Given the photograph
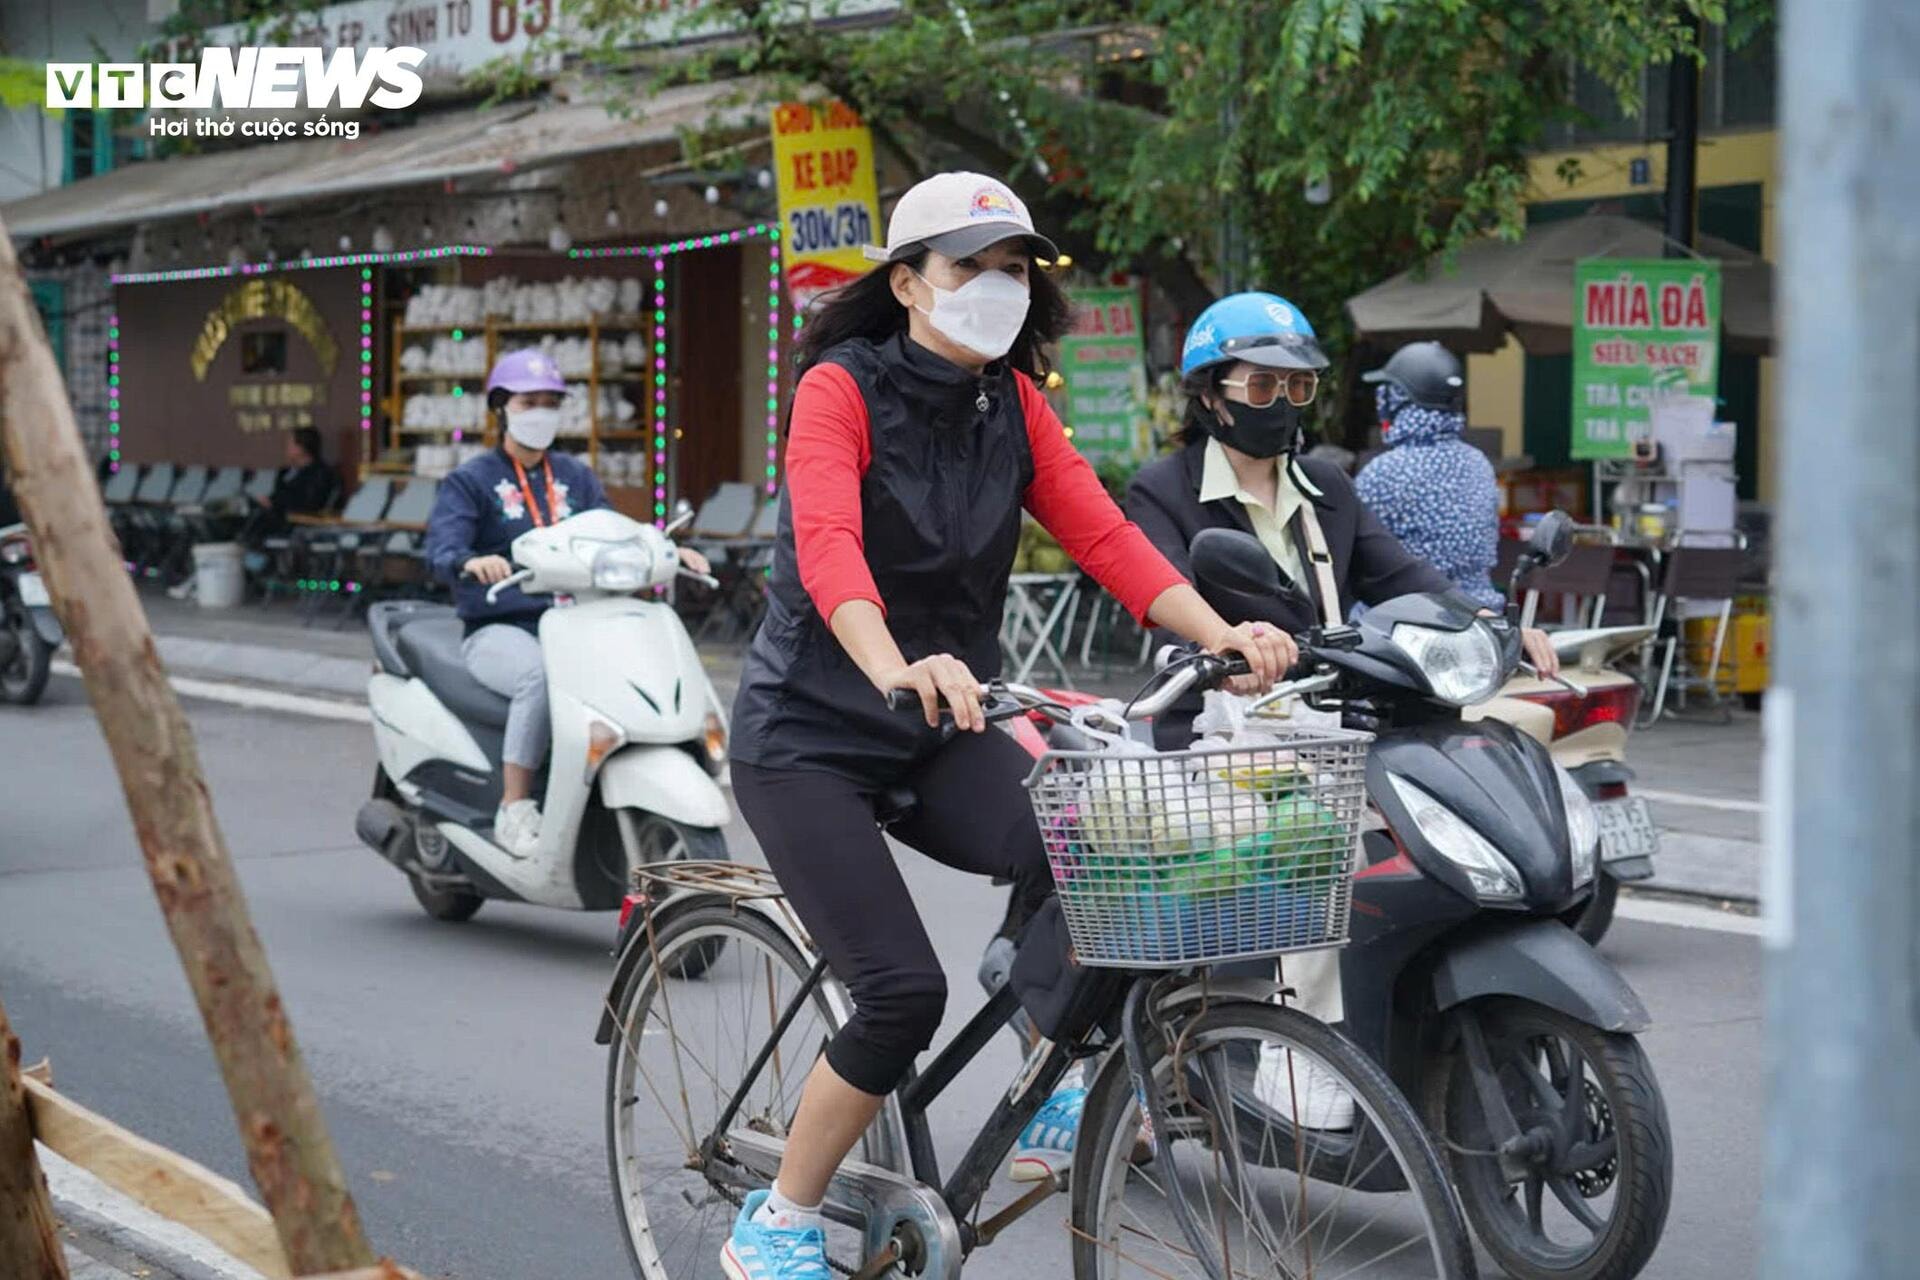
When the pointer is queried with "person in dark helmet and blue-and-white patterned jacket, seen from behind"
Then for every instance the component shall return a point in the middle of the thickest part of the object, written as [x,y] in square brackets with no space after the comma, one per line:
[1431,488]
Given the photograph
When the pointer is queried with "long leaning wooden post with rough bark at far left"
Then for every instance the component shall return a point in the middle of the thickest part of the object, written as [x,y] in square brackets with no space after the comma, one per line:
[289,1150]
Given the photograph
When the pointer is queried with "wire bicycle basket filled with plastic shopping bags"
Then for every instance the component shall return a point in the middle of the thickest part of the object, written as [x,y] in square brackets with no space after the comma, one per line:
[1199,857]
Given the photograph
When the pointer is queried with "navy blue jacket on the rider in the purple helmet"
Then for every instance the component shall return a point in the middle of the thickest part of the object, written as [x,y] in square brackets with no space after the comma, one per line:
[481,510]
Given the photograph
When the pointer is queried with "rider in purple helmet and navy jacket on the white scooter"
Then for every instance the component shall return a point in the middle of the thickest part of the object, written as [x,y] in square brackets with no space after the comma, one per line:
[479,511]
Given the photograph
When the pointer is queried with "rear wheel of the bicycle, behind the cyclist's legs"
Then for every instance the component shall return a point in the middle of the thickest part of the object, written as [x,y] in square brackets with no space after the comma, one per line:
[686,1031]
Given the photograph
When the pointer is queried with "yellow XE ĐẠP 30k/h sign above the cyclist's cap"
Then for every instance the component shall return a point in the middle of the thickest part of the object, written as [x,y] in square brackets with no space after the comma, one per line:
[828,195]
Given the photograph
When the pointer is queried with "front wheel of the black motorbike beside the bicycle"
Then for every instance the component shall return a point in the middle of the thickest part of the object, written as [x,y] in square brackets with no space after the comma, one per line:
[1596,1177]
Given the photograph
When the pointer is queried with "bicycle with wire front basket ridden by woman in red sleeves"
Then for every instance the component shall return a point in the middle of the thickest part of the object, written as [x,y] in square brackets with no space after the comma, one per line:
[1189,1160]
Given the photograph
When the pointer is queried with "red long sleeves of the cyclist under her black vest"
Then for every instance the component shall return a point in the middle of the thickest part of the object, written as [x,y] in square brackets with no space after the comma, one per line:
[828,454]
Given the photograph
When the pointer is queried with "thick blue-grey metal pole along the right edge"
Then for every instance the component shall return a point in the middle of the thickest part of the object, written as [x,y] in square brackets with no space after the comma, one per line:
[1844,736]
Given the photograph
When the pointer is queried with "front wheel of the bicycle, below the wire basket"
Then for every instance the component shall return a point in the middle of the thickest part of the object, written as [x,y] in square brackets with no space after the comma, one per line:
[1253,1191]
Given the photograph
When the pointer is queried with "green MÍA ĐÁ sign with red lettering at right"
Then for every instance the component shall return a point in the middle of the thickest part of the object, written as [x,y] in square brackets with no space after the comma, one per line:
[1641,331]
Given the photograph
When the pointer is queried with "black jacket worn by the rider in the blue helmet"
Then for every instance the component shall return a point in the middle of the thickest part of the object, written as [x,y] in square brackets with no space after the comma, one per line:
[1368,563]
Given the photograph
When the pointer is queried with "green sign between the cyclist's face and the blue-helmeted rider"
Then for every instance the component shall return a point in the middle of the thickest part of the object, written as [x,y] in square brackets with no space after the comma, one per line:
[1103,362]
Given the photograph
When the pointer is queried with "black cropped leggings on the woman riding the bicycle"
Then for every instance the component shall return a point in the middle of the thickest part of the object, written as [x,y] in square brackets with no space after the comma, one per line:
[840,876]
